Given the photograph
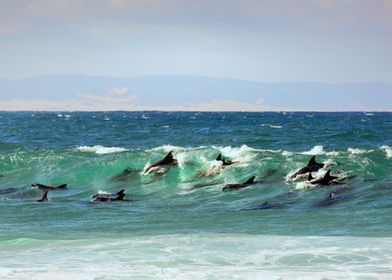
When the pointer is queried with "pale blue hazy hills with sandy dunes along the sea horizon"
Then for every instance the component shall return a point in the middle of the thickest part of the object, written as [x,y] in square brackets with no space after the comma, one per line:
[171,92]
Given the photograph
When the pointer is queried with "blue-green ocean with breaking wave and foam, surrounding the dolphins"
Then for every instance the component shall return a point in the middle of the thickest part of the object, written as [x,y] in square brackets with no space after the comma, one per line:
[177,223]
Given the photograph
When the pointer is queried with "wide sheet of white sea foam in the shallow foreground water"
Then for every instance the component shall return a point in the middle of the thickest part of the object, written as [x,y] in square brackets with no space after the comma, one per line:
[205,256]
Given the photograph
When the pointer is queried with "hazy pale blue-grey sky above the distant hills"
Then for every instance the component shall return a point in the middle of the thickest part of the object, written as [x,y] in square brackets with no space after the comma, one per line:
[269,41]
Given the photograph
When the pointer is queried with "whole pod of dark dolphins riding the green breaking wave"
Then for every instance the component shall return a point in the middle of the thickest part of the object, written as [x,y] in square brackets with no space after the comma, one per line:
[168,160]
